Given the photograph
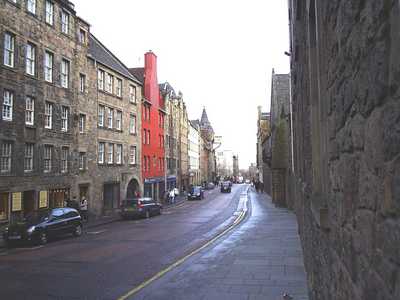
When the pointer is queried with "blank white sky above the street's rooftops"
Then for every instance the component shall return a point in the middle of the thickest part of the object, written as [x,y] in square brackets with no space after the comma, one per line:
[219,53]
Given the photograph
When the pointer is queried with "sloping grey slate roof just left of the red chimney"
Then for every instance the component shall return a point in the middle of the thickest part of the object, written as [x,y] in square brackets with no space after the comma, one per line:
[105,57]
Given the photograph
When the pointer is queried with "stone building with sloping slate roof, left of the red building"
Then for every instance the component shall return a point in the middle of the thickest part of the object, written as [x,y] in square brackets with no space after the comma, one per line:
[109,135]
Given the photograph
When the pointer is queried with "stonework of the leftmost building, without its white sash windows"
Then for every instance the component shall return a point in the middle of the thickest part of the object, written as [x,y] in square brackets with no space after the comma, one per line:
[26,27]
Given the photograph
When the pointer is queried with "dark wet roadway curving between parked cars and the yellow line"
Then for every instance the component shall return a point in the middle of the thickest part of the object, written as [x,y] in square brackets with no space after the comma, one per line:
[109,260]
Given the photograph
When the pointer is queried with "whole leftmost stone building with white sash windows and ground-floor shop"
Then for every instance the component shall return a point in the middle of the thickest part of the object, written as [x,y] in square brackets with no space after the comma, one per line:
[38,105]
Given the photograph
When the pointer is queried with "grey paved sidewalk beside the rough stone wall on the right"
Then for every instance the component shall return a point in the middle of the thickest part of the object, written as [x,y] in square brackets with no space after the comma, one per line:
[261,259]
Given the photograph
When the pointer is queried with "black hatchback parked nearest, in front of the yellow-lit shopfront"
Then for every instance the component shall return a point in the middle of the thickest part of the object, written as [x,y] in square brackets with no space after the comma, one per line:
[38,227]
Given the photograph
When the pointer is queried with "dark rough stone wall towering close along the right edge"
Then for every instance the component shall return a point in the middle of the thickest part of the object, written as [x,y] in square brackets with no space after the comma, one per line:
[345,84]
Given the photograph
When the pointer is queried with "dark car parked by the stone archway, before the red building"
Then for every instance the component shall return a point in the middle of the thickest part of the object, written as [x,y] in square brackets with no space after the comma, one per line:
[140,207]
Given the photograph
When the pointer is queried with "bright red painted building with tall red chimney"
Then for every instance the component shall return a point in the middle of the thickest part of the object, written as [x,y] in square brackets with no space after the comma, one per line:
[153,116]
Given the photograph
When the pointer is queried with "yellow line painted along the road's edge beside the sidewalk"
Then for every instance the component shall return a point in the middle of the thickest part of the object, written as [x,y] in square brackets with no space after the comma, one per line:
[183,259]
